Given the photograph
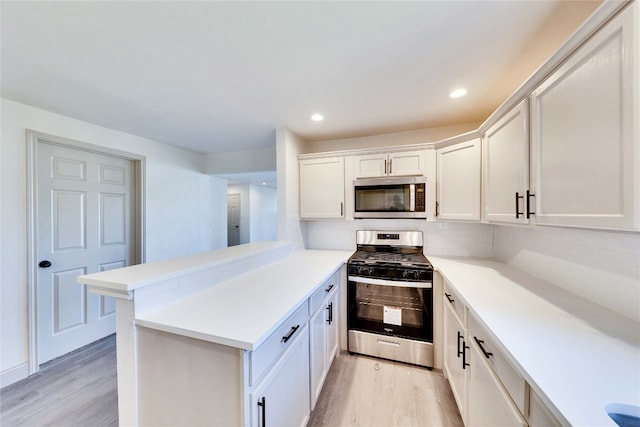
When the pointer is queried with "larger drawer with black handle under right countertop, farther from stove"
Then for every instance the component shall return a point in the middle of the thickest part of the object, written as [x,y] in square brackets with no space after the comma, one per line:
[512,381]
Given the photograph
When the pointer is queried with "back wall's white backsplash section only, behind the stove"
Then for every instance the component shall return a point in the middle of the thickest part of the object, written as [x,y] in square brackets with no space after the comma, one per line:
[452,239]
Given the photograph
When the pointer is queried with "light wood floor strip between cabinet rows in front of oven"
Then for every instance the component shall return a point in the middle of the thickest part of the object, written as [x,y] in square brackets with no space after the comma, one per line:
[364,391]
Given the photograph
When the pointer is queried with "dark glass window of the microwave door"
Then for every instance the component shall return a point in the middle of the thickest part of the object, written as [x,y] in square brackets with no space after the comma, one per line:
[393,198]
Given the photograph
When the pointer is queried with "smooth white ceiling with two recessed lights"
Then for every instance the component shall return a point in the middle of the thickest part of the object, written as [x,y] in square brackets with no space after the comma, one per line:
[221,76]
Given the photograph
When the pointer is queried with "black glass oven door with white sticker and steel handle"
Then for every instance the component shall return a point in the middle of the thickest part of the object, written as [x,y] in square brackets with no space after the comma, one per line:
[399,309]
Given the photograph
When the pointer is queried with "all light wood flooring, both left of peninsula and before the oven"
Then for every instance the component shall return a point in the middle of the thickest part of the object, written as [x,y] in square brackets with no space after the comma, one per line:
[80,389]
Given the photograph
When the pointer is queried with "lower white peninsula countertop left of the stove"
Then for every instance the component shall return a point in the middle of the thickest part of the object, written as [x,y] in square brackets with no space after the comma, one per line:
[242,312]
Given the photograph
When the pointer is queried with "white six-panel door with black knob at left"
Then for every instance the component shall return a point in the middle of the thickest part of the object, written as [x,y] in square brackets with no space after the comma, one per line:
[84,217]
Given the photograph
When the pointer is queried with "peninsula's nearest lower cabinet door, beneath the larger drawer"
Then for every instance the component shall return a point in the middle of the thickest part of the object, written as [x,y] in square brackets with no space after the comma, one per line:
[282,397]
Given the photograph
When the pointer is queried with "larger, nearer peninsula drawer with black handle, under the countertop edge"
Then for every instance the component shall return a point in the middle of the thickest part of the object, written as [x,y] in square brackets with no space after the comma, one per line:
[269,351]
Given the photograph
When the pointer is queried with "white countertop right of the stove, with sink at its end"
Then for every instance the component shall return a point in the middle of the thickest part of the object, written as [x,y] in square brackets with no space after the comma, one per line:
[576,355]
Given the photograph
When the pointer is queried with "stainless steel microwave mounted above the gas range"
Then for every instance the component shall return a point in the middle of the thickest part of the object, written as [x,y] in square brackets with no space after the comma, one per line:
[402,197]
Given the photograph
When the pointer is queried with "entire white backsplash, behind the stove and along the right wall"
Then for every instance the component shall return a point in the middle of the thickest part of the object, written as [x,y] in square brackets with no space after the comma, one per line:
[600,266]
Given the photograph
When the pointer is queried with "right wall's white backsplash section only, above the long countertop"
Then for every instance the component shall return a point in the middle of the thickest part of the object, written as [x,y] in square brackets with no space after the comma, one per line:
[601,266]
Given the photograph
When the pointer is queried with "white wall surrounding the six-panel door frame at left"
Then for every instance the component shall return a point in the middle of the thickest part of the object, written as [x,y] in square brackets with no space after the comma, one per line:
[182,207]
